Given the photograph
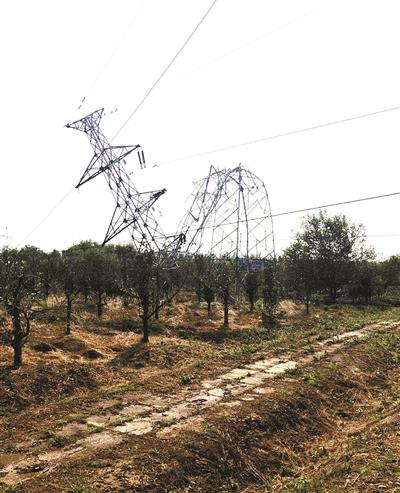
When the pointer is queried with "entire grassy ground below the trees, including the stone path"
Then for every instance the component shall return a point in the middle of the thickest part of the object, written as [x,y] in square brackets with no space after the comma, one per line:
[312,407]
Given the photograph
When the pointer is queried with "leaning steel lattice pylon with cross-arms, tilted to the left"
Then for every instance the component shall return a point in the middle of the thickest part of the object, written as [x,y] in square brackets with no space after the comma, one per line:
[133,209]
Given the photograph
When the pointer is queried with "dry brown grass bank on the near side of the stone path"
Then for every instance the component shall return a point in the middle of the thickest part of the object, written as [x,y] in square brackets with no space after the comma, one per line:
[314,433]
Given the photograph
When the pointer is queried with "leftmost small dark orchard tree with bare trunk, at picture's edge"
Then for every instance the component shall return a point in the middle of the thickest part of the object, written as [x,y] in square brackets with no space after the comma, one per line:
[21,294]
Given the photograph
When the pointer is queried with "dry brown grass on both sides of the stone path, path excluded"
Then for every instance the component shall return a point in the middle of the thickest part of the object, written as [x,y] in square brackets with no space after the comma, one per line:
[272,443]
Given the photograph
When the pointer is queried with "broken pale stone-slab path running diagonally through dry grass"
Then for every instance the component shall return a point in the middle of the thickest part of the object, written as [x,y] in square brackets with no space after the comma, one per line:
[164,414]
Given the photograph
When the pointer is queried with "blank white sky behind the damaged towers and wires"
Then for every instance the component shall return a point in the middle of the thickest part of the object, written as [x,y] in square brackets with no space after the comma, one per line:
[255,68]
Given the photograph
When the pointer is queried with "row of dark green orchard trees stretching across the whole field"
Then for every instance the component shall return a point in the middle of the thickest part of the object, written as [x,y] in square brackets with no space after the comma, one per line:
[328,259]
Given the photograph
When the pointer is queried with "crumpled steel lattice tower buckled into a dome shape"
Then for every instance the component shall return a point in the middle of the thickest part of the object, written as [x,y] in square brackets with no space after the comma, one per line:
[230,215]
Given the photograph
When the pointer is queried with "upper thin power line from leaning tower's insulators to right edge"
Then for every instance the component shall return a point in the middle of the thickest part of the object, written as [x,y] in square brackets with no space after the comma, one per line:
[278,136]
